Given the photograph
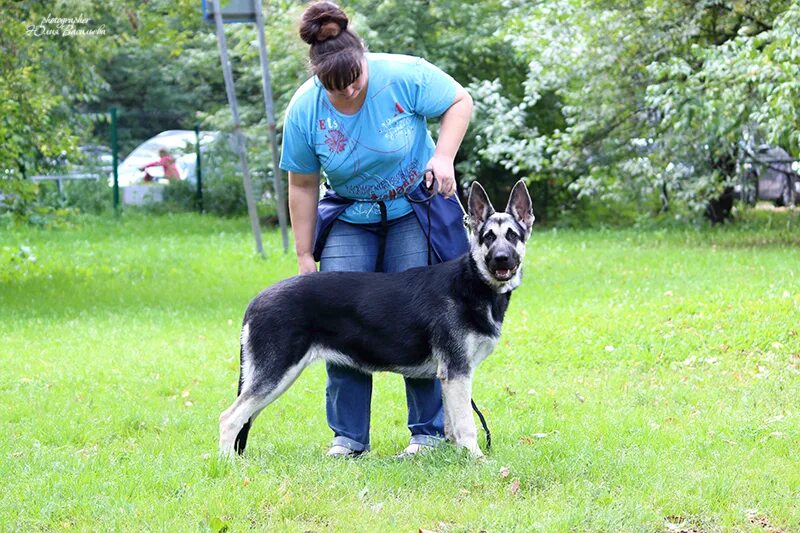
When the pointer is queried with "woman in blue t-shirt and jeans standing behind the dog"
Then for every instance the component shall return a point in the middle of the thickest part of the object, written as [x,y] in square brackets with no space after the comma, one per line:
[361,119]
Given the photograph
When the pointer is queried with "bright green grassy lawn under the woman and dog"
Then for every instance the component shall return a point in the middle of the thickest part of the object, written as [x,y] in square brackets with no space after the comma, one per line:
[647,380]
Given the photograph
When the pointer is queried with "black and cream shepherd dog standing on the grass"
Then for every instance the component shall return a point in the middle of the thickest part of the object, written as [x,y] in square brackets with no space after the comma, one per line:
[436,321]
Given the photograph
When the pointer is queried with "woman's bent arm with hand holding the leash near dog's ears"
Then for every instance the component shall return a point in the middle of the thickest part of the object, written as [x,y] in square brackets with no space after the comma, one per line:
[451,132]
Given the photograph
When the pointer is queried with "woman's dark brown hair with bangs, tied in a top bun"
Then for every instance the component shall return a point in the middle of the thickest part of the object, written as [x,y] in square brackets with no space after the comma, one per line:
[336,51]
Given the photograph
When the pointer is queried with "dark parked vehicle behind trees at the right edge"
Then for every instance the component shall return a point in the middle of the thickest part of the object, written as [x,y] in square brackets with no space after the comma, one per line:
[770,176]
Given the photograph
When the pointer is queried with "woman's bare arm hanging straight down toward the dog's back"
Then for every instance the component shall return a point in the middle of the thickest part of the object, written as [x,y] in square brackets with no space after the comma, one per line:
[303,199]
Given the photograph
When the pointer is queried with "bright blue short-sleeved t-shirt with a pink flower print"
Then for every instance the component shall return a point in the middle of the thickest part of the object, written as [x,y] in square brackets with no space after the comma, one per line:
[381,151]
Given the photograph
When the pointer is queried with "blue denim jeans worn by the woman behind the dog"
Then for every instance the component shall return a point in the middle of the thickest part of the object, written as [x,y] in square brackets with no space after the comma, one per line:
[354,248]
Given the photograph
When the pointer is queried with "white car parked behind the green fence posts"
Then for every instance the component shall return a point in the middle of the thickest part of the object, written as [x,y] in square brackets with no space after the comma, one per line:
[181,145]
